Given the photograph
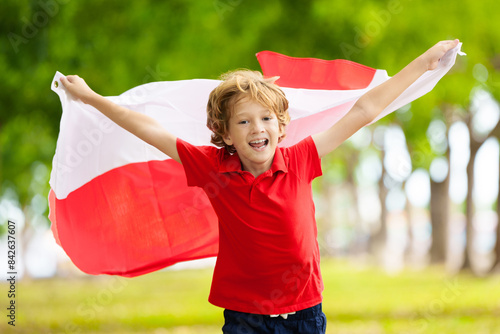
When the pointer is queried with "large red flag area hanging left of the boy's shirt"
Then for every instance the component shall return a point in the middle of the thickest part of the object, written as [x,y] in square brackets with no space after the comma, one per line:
[135,219]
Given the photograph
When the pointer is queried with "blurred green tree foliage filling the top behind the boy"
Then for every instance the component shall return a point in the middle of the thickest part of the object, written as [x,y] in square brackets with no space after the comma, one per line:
[117,45]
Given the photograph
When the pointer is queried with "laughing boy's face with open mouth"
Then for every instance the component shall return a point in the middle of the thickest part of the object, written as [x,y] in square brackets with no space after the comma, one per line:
[254,132]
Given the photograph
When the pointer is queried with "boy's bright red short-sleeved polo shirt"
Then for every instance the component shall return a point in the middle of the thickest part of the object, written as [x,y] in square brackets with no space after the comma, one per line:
[268,261]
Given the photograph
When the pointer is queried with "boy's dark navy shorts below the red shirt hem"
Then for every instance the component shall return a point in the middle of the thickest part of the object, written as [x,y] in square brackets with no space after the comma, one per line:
[308,321]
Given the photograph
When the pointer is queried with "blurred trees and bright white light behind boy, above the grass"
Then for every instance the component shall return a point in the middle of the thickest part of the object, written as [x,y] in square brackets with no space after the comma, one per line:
[419,188]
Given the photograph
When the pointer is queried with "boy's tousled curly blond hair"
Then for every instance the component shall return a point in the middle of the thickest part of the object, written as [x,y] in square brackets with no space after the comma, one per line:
[235,86]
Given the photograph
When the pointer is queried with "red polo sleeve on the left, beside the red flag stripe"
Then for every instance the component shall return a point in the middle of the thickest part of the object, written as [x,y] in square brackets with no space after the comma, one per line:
[199,162]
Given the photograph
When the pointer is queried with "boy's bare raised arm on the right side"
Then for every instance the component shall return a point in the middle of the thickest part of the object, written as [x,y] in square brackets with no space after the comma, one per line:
[372,103]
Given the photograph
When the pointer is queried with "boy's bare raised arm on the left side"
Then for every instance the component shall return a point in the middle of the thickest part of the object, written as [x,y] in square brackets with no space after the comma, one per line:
[142,126]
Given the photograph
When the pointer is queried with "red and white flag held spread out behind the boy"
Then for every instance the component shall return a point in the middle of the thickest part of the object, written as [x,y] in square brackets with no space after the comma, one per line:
[120,206]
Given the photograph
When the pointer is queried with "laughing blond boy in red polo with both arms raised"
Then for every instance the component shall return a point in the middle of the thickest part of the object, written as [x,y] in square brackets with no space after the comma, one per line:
[267,275]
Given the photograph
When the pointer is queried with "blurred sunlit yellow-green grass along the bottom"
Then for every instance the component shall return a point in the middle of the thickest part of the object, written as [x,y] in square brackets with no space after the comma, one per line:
[356,300]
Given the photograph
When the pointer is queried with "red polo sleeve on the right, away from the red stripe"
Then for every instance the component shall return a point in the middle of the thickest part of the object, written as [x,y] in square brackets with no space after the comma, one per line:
[304,159]
